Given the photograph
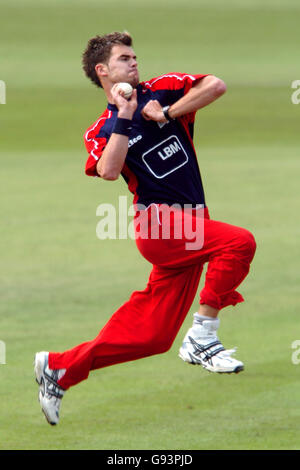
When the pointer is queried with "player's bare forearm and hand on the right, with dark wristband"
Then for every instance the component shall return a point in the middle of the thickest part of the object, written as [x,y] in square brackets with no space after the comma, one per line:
[204,92]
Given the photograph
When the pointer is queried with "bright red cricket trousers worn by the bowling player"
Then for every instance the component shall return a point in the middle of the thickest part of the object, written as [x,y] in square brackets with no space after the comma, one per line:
[149,321]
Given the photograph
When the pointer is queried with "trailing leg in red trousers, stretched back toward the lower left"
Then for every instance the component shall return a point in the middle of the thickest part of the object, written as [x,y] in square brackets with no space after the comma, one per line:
[145,325]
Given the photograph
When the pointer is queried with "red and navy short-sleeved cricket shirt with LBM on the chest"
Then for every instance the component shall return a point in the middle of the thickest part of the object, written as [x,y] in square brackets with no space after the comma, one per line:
[161,164]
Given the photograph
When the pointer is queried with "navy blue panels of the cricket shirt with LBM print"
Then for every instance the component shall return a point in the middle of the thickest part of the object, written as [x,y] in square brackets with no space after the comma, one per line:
[161,157]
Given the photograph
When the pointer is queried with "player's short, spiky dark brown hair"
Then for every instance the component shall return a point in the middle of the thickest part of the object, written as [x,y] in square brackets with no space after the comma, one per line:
[99,49]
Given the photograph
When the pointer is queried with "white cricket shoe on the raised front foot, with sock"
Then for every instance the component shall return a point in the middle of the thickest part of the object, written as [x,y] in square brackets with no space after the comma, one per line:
[201,345]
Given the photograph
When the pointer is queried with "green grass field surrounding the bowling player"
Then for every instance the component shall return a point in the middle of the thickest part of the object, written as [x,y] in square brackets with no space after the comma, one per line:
[60,284]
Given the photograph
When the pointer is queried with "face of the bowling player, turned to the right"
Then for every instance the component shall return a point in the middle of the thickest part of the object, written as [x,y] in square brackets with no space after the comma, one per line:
[122,65]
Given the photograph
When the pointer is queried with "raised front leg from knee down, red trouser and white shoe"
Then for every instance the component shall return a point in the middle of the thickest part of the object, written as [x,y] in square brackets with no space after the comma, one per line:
[228,265]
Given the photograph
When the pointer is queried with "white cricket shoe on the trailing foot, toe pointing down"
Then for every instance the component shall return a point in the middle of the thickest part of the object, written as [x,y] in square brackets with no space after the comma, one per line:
[50,393]
